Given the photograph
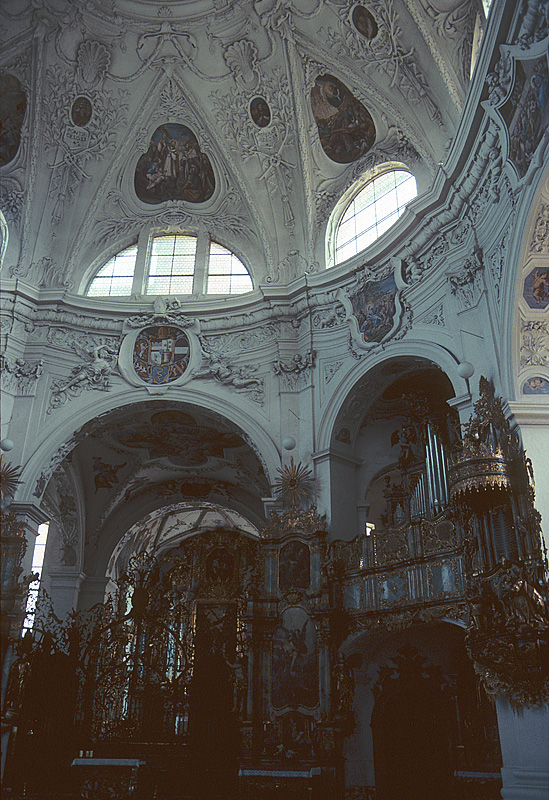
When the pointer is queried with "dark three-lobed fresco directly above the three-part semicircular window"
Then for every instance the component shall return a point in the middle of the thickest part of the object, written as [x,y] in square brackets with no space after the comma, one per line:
[174,168]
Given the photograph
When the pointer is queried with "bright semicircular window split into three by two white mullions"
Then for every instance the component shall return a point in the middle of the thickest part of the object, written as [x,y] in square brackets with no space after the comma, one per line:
[172,264]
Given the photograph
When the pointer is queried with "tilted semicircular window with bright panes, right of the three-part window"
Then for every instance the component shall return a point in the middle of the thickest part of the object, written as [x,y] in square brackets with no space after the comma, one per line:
[372,211]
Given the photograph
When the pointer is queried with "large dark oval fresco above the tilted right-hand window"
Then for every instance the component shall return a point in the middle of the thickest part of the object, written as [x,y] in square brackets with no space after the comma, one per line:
[346,129]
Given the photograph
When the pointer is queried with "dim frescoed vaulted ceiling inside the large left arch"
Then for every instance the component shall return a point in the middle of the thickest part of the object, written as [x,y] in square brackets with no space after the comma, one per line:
[140,458]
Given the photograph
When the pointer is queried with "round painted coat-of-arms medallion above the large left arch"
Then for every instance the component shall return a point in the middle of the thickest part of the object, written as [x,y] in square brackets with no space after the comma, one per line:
[161,354]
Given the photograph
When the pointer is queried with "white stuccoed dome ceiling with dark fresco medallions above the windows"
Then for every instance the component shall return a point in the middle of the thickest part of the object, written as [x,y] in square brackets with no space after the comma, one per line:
[282,105]
